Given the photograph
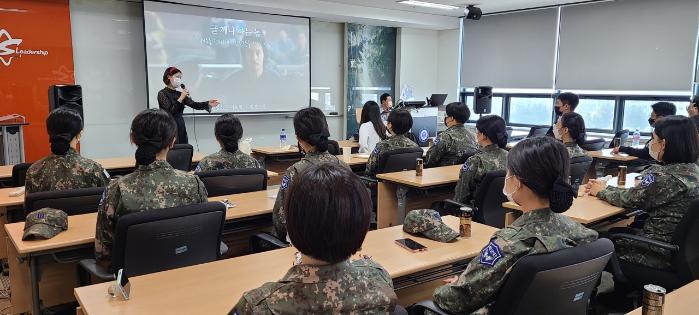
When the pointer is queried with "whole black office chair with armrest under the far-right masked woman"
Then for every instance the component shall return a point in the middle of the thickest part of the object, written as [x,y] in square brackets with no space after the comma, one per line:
[684,247]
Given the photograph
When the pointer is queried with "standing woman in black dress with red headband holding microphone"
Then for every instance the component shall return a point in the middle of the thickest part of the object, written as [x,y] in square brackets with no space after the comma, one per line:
[174,101]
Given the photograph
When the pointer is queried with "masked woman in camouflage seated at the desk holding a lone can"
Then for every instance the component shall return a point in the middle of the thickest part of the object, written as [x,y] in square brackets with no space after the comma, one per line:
[491,135]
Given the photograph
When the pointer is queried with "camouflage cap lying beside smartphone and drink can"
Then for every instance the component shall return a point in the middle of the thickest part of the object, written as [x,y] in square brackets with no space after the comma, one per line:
[429,223]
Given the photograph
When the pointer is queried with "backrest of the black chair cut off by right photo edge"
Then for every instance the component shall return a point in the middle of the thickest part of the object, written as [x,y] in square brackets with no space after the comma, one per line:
[686,236]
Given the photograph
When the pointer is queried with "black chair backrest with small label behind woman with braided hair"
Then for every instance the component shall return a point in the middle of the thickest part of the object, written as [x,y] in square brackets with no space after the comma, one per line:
[162,239]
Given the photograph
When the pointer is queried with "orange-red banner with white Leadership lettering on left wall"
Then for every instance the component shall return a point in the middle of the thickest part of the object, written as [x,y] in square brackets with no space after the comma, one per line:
[36,52]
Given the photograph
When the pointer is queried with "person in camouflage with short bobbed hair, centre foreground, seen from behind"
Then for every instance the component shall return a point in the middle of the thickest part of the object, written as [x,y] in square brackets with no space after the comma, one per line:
[328,210]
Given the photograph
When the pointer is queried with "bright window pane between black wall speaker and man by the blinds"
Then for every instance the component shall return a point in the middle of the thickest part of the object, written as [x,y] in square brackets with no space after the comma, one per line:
[531,110]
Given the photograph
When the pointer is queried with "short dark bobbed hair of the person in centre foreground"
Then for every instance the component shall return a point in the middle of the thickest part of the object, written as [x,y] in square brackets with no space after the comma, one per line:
[328,210]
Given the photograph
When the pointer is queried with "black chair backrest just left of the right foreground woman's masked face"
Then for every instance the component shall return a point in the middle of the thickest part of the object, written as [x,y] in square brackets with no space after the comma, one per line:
[488,200]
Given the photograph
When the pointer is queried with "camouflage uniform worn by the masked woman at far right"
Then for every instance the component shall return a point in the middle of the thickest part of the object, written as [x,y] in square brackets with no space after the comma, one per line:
[664,193]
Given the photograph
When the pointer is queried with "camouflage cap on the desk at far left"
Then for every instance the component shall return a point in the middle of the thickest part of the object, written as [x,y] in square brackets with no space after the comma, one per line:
[45,223]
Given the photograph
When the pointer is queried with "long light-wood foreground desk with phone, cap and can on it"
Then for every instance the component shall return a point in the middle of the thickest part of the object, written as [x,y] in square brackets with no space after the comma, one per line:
[216,287]
